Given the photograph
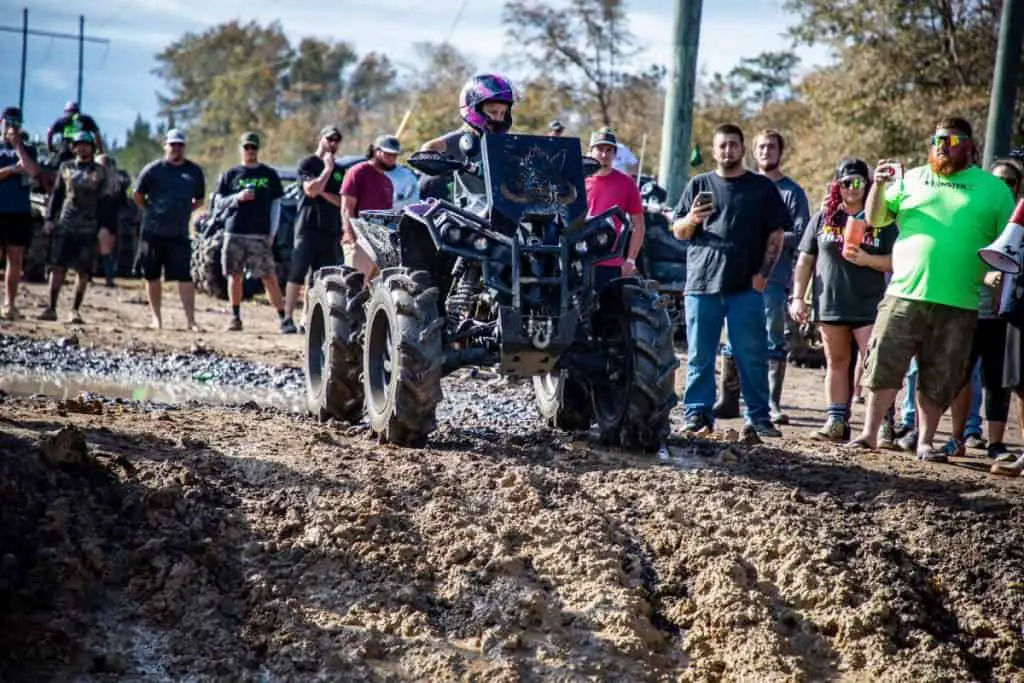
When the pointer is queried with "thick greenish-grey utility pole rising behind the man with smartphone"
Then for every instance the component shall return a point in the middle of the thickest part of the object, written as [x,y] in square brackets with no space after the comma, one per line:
[677,126]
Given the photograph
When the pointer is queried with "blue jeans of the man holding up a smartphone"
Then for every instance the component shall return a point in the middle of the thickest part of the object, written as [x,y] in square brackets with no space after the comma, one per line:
[745,315]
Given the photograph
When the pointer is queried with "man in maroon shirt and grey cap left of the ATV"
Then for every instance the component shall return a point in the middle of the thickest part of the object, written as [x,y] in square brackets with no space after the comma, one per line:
[367,188]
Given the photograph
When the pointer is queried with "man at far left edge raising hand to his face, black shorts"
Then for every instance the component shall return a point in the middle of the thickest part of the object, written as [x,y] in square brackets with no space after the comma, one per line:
[18,167]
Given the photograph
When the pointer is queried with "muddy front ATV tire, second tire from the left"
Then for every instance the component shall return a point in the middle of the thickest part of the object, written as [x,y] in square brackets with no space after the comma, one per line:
[403,357]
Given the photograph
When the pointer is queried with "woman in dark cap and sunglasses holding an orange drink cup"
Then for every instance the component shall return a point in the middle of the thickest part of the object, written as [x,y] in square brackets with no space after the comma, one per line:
[849,261]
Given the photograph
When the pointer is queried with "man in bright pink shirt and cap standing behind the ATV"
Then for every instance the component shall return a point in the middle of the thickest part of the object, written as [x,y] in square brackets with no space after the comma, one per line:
[609,188]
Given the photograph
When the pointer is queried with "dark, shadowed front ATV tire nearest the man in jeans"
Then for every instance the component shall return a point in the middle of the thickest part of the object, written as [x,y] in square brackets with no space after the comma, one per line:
[633,411]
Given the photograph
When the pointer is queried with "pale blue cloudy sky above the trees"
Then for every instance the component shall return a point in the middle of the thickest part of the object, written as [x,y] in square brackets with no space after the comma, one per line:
[119,82]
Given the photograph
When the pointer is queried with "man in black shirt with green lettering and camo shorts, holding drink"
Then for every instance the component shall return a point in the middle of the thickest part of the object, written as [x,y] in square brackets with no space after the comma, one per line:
[250,195]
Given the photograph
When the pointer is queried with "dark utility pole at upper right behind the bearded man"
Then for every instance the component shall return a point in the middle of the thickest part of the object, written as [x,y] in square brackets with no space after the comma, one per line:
[1004,98]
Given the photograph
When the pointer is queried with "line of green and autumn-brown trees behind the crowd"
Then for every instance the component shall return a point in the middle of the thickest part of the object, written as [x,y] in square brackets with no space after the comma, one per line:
[897,67]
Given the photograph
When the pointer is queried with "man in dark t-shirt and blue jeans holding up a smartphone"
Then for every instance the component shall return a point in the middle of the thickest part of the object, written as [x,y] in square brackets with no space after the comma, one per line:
[736,241]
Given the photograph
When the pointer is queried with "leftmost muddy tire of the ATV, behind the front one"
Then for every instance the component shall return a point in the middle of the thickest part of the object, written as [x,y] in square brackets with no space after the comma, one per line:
[334,355]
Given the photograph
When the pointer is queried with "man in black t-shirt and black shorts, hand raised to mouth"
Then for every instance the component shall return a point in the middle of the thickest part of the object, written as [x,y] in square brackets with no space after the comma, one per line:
[318,225]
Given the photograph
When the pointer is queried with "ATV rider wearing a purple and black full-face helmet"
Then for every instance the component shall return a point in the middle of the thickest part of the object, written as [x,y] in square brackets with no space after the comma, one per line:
[486,106]
